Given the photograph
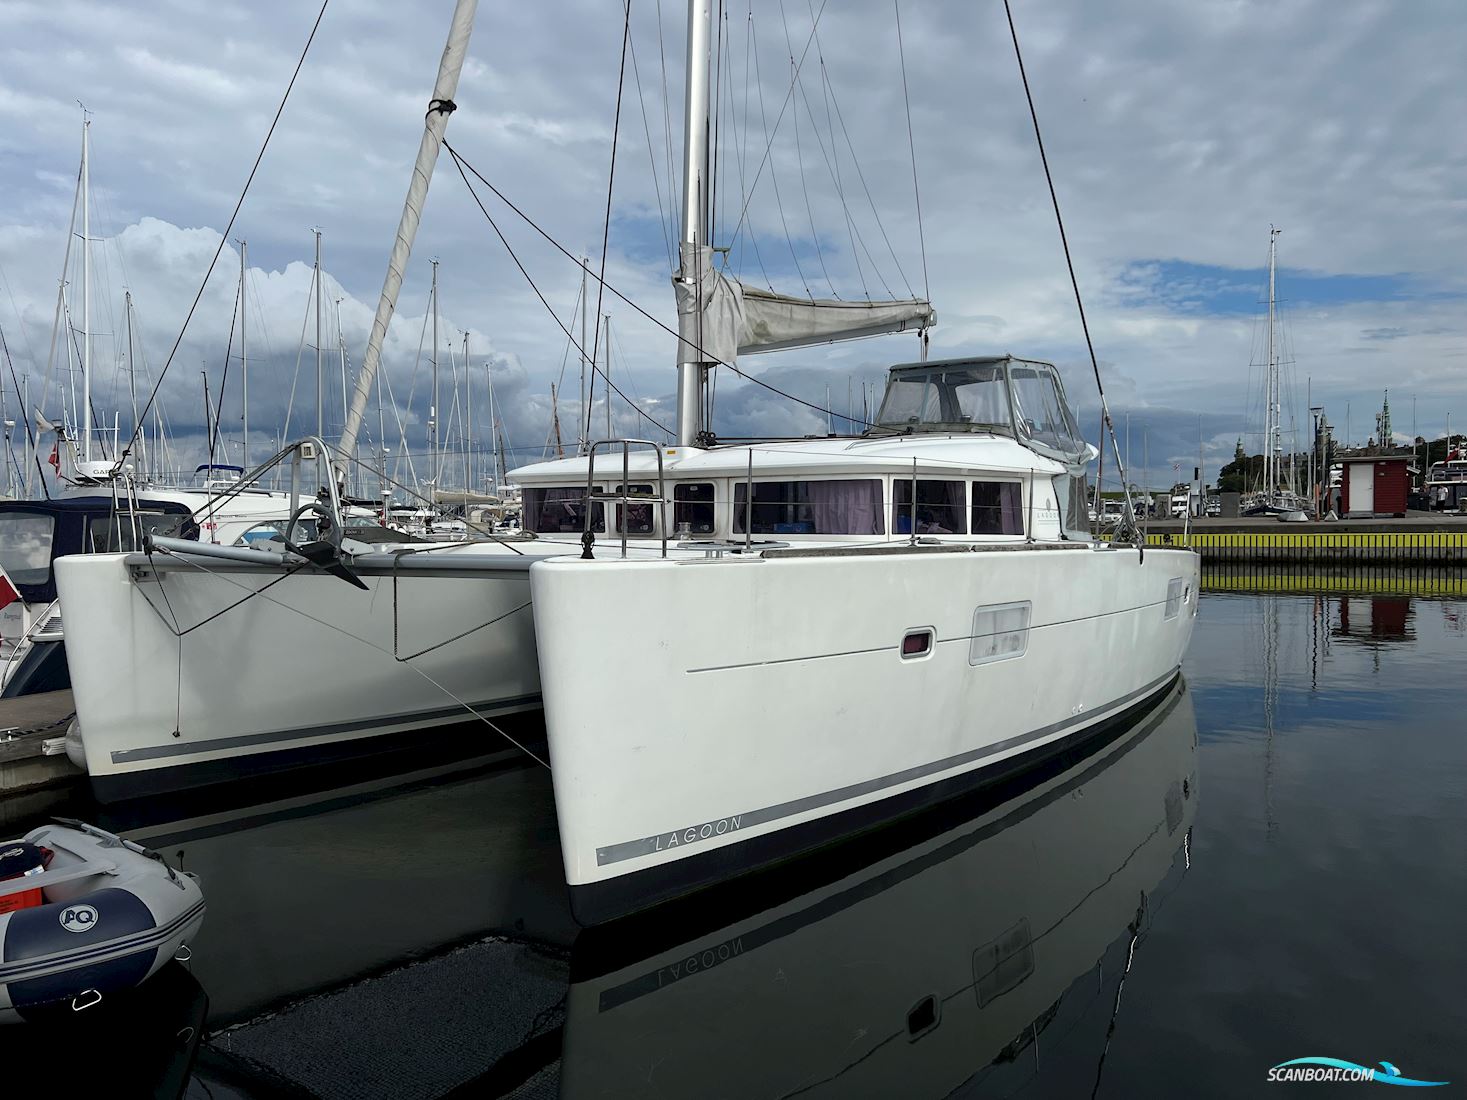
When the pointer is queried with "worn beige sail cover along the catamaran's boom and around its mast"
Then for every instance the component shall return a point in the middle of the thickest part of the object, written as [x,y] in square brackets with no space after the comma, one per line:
[720,319]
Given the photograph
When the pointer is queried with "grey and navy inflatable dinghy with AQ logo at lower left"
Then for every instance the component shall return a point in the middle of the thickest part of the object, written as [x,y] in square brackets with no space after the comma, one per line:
[84,914]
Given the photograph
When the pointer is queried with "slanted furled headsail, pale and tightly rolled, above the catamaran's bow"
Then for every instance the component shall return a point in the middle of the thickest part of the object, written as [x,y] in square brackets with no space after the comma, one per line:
[436,121]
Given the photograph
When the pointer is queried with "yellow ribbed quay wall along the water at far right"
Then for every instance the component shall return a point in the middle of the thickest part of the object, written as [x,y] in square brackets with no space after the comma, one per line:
[1419,539]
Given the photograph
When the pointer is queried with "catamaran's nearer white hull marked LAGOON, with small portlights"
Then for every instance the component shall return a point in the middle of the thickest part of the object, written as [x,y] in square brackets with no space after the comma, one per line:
[708,718]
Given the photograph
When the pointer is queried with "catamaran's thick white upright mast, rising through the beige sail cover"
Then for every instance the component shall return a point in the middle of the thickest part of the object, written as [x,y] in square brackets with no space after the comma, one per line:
[692,369]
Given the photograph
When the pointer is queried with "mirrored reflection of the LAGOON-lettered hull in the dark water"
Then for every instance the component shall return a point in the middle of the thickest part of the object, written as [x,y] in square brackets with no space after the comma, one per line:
[981,957]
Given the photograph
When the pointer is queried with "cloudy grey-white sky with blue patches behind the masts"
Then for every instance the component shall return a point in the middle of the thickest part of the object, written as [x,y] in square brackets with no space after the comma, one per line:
[1177,136]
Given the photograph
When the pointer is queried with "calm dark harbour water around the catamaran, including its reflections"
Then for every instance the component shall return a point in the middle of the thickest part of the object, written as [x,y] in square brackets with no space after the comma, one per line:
[1267,866]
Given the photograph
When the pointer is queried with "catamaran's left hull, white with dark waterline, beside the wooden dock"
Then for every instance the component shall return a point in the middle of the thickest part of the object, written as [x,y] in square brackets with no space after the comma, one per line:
[194,674]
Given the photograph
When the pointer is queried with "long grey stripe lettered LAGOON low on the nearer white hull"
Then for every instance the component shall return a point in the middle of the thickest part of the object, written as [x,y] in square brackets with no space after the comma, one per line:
[706,831]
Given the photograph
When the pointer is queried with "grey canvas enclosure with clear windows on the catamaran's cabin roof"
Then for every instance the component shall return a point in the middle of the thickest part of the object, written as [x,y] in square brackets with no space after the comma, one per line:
[1019,398]
